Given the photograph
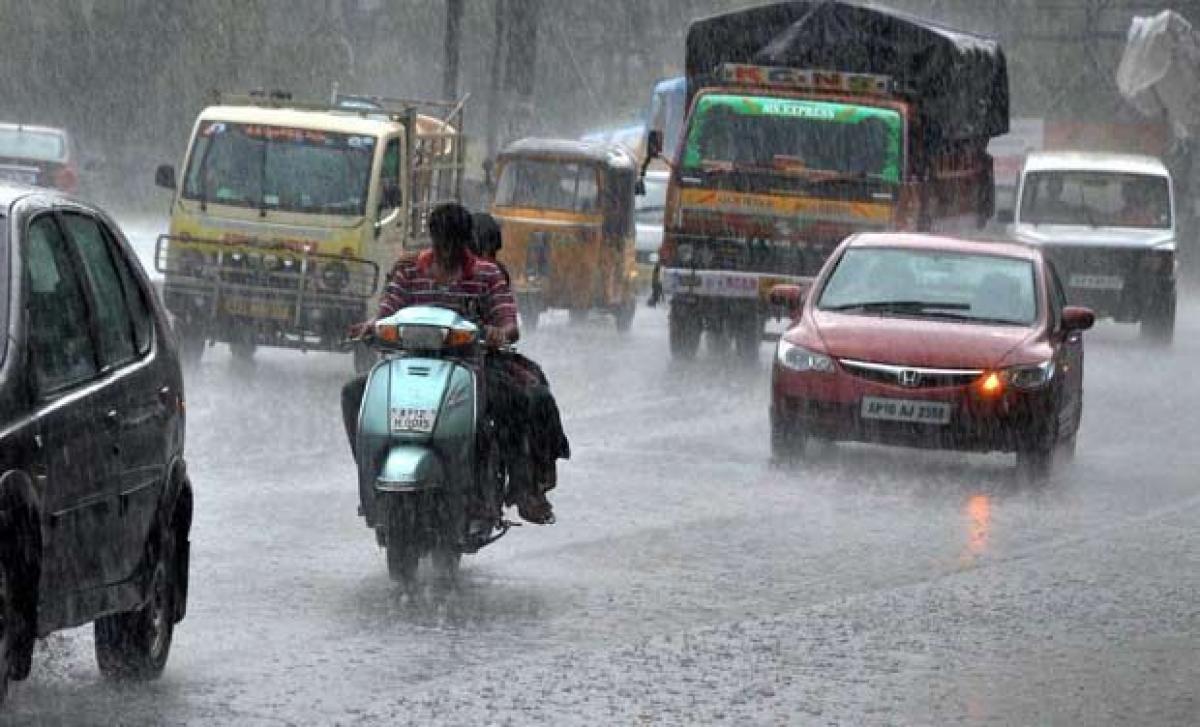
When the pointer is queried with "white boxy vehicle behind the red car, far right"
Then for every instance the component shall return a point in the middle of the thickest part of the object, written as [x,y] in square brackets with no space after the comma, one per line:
[1107,221]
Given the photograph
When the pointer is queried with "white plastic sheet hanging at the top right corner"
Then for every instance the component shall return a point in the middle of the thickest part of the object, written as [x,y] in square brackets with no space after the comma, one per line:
[1160,70]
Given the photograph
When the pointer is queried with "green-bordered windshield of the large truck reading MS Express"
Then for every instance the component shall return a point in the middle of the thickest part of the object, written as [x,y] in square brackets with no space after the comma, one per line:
[795,136]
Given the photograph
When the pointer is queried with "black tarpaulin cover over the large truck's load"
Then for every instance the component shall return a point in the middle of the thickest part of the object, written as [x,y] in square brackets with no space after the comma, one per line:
[961,81]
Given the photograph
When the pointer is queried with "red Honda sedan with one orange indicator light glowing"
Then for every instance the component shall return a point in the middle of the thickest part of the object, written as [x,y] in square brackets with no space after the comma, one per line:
[932,343]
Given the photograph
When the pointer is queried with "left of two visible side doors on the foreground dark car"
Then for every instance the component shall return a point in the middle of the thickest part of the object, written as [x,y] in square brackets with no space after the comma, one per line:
[74,417]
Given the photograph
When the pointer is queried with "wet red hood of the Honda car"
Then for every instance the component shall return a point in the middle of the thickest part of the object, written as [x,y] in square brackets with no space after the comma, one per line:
[917,343]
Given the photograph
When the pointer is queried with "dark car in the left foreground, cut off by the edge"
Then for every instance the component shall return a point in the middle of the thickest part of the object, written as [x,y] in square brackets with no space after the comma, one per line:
[95,502]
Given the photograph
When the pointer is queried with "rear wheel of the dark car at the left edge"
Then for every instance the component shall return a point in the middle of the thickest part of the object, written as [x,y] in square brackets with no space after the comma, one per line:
[135,646]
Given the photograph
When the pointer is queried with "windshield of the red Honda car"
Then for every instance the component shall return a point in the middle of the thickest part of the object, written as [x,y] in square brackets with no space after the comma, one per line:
[926,284]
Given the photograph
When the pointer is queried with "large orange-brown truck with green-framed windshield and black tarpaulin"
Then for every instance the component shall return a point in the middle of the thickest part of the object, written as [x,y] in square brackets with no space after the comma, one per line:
[809,122]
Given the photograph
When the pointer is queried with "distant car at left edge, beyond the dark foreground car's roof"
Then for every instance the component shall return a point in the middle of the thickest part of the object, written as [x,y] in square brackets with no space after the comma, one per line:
[39,155]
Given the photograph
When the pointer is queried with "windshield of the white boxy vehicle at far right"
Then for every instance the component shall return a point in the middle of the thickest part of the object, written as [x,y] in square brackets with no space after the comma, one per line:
[1096,200]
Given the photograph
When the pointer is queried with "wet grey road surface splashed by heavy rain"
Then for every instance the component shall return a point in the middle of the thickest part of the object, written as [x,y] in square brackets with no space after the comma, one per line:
[688,581]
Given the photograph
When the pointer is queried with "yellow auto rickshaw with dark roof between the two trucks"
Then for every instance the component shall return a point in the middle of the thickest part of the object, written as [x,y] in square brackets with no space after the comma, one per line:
[567,213]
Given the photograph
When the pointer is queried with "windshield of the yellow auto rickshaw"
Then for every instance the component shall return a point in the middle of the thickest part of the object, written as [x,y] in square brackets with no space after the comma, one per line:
[549,185]
